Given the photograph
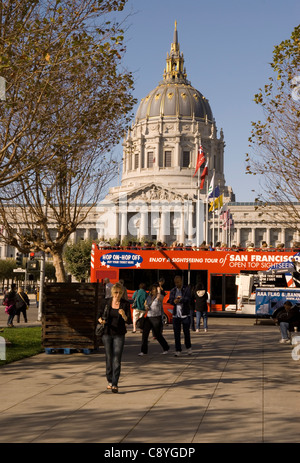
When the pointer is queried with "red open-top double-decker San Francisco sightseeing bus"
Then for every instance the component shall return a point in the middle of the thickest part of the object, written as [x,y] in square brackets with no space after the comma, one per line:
[220,271]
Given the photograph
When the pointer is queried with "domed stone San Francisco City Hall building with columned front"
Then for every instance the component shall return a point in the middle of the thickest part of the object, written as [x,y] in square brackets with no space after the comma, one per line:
[159,196]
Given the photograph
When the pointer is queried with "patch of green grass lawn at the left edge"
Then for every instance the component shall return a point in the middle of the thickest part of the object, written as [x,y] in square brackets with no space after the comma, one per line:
[25,342]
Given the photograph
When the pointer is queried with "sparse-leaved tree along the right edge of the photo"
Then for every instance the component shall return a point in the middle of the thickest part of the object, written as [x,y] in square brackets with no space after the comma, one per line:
[275,142]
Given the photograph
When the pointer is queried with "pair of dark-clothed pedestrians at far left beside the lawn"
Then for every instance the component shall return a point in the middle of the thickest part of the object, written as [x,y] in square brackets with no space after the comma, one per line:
[16,303]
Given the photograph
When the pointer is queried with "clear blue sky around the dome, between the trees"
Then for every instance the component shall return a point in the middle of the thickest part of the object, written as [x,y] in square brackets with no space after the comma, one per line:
[227,47]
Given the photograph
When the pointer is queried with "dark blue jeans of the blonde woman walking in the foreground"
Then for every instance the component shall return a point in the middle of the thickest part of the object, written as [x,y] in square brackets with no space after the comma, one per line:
[113,346]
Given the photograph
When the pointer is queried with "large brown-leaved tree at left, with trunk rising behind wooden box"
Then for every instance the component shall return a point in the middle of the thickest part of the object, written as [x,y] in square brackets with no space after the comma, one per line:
[72,102]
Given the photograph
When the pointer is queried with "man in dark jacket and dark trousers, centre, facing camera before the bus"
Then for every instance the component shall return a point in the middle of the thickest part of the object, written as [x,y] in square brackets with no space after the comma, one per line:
[180,298]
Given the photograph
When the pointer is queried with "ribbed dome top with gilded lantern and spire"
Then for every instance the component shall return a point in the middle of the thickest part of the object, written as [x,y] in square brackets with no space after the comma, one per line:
[174,96]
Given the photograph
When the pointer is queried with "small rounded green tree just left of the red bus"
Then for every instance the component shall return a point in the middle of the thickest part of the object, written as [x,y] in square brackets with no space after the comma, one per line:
[78,259]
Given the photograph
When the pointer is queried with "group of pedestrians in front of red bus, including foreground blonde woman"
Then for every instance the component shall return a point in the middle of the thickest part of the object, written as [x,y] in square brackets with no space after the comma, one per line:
[115,313]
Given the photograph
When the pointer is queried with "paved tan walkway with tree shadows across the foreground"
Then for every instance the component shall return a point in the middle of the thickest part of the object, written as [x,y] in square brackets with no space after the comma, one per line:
[239,386]
